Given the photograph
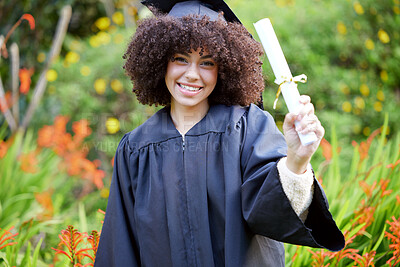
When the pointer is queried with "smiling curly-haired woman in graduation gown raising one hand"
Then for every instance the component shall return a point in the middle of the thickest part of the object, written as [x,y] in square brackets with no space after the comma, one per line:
[209,180]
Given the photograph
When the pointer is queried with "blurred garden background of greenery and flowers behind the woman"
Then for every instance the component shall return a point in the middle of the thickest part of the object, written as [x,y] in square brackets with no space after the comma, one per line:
[65,104]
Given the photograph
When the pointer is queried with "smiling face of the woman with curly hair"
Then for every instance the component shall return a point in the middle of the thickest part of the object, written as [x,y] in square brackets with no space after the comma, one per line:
[190,79]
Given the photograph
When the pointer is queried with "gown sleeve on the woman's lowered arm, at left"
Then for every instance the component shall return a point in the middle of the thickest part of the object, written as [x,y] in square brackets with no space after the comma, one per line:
[117,245]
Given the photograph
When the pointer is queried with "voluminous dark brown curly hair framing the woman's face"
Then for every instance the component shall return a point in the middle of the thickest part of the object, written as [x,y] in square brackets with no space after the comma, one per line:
[157,39]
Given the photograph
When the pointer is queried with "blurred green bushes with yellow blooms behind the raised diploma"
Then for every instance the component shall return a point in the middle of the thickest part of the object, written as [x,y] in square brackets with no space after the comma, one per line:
[350,57]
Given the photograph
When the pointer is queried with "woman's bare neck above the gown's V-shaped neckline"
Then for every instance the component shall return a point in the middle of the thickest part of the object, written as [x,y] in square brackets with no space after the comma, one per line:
[184,118]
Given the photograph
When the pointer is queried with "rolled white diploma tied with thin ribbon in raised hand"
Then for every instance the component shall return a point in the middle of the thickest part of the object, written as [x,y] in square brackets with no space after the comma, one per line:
[282,73]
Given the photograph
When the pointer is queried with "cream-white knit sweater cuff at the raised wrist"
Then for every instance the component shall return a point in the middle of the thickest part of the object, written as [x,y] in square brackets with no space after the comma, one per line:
[298,188]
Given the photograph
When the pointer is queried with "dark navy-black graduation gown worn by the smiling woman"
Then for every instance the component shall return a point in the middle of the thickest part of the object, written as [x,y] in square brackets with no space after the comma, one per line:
[208,200]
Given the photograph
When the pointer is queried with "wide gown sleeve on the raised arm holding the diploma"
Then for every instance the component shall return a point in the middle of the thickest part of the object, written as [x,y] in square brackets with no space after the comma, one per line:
[265,207]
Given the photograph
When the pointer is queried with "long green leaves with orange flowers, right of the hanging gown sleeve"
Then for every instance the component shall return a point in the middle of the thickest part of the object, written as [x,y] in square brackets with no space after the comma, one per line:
[362,198]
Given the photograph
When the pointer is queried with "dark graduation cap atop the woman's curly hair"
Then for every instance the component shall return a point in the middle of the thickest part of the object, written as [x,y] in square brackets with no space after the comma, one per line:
[180,8]
